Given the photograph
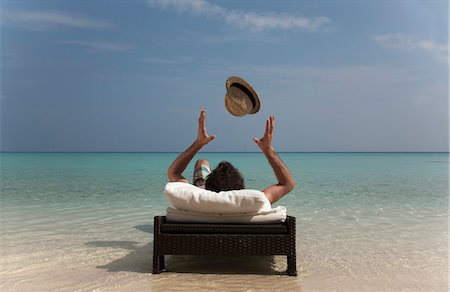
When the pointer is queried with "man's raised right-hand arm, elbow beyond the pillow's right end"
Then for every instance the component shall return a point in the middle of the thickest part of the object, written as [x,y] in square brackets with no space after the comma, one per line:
[286,182]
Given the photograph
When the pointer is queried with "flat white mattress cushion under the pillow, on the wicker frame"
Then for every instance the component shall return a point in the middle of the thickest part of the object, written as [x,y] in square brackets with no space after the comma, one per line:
[275,215]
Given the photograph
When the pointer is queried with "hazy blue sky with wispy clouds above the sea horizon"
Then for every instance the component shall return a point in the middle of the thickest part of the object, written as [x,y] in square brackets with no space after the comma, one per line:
[110,75]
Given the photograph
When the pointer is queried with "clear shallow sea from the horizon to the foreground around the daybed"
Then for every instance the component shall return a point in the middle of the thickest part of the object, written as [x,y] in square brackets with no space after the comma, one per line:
[365,222]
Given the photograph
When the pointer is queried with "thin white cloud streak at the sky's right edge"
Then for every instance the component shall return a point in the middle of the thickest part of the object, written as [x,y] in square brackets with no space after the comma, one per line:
[411,42]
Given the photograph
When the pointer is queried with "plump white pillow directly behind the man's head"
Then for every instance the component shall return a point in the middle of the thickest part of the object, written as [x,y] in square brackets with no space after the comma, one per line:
[184,196]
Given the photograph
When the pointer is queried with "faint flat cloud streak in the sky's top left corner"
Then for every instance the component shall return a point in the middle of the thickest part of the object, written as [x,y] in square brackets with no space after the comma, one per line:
[42,20]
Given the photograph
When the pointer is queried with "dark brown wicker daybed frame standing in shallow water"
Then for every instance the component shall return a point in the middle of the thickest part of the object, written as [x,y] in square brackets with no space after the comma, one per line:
[172,238]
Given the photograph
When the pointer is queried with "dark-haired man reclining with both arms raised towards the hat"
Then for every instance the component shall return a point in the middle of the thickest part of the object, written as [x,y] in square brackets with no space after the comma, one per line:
[225,176]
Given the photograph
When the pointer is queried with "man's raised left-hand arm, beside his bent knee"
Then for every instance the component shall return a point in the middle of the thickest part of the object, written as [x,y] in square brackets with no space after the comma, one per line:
[175,171]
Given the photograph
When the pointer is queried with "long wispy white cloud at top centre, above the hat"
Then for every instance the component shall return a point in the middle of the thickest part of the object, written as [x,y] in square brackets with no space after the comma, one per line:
[247,20]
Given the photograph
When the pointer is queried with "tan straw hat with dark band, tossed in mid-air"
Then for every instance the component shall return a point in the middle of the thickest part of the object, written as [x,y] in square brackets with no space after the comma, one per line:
[241,99]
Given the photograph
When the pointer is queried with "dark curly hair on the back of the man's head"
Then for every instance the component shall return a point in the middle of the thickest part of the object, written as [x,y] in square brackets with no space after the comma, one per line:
[225,177]
